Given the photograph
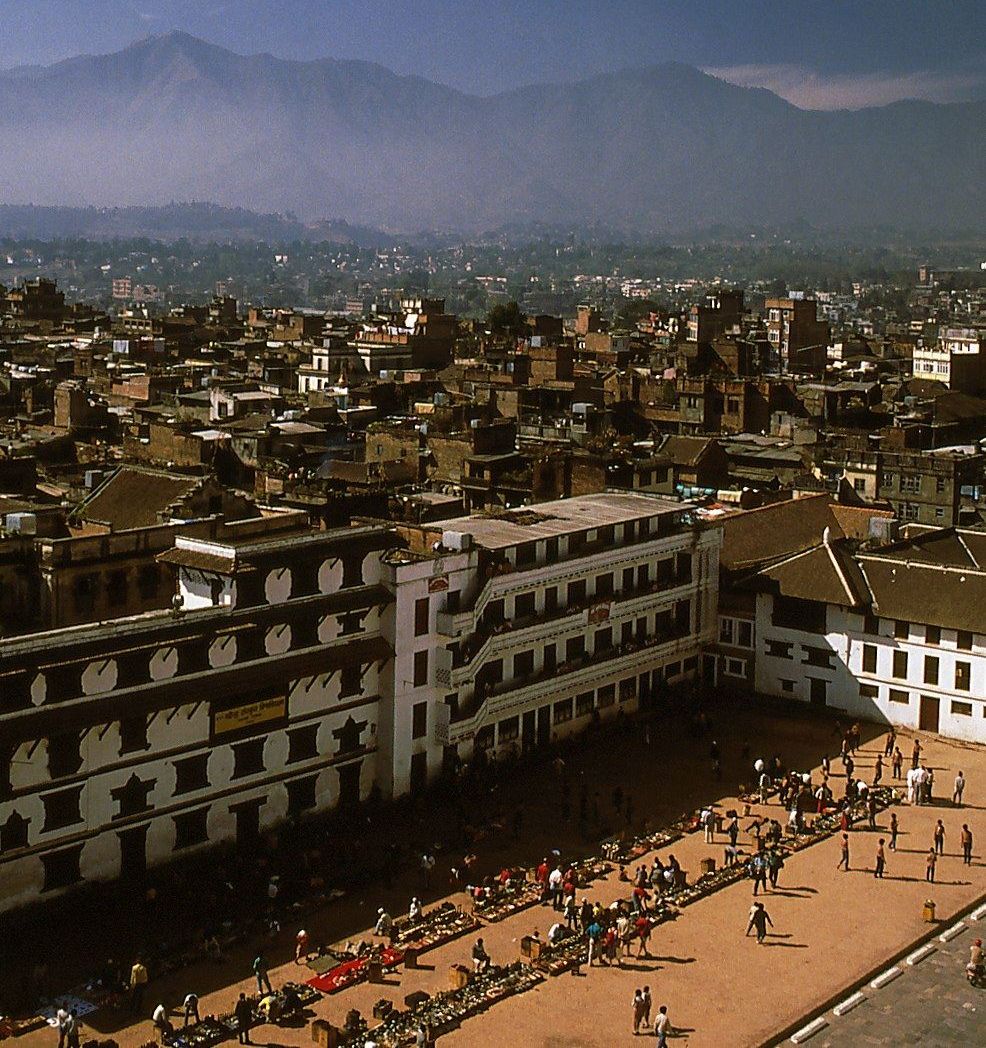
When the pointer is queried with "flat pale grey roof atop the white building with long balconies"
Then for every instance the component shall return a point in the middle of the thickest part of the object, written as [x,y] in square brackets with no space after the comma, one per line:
[544,520]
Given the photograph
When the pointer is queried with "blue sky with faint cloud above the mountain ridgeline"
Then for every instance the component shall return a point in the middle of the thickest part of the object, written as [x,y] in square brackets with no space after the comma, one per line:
[821,54]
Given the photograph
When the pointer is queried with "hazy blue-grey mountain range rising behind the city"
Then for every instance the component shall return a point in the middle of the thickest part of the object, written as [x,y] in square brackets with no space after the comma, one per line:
[666,149]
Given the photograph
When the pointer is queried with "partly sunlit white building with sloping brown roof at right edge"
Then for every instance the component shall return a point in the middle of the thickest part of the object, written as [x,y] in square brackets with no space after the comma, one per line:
[895,636]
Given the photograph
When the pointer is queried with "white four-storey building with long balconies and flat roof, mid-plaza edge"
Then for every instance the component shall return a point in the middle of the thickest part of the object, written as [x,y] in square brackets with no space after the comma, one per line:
[516,629]
